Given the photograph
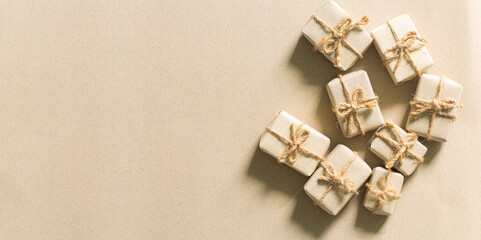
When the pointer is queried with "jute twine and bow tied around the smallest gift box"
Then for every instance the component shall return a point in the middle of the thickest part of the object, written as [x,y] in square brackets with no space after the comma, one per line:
[383,193]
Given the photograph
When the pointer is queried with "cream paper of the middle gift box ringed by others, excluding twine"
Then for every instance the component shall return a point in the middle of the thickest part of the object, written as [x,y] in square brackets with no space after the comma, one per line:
[370,118]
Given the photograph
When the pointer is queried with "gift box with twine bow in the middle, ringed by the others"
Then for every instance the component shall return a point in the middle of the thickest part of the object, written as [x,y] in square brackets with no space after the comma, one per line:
[355,103]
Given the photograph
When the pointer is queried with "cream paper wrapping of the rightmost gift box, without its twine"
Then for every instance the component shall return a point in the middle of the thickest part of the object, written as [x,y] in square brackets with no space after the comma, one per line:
[427,89]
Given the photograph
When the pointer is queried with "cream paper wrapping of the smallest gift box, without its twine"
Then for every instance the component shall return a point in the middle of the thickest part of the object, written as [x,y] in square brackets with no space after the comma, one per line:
[371,199]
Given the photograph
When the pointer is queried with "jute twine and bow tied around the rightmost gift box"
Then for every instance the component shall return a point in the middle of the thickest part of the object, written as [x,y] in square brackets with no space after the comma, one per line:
[437,106]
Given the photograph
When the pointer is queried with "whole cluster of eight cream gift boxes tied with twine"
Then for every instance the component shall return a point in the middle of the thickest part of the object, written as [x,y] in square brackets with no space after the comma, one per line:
[336,177]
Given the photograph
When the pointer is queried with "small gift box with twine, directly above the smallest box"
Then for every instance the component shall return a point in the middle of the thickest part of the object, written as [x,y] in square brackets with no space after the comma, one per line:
[397,148]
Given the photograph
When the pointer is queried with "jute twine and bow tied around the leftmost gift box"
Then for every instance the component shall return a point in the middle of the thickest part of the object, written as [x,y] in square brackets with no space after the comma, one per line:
[294,145]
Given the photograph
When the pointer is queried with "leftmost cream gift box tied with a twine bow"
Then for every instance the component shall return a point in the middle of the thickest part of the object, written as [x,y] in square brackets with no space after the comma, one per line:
[294,143]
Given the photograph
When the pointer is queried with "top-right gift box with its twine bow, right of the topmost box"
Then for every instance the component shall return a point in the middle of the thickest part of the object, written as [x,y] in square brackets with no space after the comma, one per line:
[401,48]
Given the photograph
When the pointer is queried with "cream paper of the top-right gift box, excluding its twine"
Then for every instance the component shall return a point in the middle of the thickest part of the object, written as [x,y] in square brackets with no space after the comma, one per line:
[384,40]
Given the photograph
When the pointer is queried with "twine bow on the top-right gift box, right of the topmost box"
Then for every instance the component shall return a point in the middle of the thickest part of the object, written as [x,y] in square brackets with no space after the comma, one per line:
[409,43]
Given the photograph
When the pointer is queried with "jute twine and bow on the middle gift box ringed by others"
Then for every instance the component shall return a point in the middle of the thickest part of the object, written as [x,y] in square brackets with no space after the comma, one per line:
[349,111]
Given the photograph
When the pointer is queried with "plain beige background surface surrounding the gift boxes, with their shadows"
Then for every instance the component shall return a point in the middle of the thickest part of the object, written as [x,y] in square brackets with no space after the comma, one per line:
[141,120]
